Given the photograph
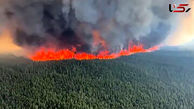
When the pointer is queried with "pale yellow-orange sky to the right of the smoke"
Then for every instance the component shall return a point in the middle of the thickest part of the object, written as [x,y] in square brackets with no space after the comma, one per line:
[184,33]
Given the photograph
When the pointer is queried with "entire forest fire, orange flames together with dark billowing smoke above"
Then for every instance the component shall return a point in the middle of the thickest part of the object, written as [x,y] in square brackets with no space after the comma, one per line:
[59,30]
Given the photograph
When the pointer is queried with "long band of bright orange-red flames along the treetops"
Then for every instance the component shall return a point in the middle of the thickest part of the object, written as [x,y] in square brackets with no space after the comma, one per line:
[65,54]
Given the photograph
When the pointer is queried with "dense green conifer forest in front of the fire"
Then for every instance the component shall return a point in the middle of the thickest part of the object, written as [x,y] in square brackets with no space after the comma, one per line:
[159,80]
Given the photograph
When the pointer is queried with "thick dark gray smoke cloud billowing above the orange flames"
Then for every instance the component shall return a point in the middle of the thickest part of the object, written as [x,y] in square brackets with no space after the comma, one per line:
[67,24]
